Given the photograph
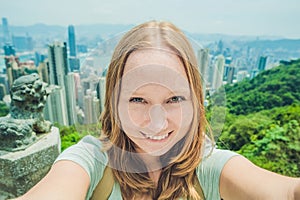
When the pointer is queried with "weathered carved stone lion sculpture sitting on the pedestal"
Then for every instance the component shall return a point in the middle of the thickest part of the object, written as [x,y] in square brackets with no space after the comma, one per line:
[20,127]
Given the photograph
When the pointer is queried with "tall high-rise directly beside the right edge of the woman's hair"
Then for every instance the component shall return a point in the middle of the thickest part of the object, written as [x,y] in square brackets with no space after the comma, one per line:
[203,59]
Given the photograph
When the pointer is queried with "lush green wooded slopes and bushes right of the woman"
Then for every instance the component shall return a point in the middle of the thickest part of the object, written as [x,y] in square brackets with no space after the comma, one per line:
[262,119]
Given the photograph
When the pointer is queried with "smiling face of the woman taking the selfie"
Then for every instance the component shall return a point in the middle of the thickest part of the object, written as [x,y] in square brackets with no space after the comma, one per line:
[155,107]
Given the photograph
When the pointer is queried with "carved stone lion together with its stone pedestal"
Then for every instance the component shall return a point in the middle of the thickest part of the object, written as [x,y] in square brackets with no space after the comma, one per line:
[28,143]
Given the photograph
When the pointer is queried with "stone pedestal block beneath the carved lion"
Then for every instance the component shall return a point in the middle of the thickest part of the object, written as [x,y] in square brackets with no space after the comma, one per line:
[21,170]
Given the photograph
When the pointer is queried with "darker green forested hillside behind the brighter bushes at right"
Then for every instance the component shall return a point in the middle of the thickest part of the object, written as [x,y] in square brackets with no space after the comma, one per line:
[273,88]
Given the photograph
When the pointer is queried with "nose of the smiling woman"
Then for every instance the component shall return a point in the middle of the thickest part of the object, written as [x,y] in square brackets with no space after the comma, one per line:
[158,119]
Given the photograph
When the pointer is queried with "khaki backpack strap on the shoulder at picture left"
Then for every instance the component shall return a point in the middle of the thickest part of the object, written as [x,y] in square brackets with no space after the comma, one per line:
[105,186]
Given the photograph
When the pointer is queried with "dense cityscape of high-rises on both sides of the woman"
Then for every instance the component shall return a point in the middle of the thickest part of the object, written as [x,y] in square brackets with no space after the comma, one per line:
[76,64]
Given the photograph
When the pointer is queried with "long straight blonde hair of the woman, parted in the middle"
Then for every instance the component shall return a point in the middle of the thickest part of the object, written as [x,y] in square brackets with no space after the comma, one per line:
[179,175]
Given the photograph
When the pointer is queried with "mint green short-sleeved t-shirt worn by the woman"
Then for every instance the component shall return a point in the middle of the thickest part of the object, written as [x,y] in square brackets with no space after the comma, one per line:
[87,154]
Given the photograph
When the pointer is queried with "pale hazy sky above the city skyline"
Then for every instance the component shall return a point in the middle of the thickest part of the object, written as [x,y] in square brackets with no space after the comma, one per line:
[237,17]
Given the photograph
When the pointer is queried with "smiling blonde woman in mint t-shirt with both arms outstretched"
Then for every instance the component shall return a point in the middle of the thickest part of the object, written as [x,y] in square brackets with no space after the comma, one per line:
[153,134]
